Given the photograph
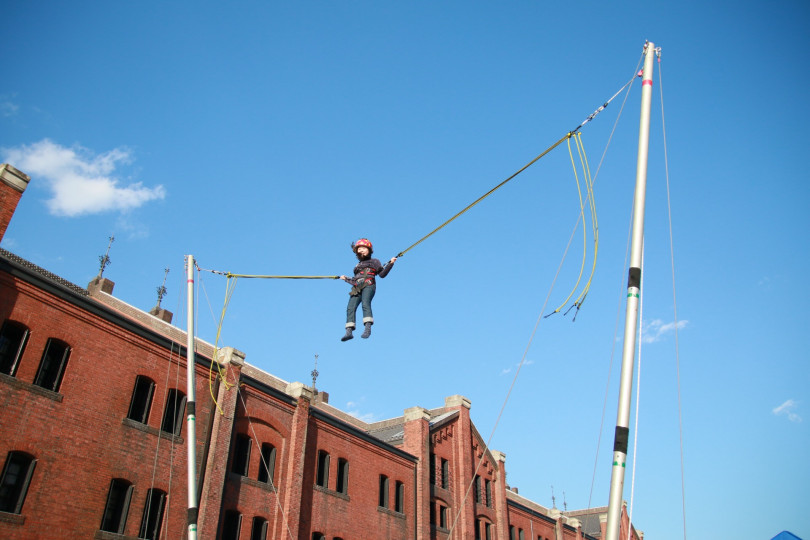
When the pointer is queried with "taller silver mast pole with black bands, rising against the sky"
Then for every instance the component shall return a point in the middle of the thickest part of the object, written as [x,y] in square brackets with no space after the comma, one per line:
[633,296]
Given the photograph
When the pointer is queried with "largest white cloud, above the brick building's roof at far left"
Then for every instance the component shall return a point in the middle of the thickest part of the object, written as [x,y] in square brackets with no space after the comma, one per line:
[81,183]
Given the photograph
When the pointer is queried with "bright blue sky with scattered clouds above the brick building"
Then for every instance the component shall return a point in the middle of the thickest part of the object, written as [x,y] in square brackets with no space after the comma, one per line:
[263,137]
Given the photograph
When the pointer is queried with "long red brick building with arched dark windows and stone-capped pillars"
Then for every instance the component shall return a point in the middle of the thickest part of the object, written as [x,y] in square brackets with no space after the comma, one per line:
[92,437]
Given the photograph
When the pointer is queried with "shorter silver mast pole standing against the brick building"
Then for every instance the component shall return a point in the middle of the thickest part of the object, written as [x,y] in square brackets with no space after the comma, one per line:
[191,405]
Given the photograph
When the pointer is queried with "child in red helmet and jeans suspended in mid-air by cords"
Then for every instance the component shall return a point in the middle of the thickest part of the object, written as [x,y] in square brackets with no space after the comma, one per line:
[363,286]
